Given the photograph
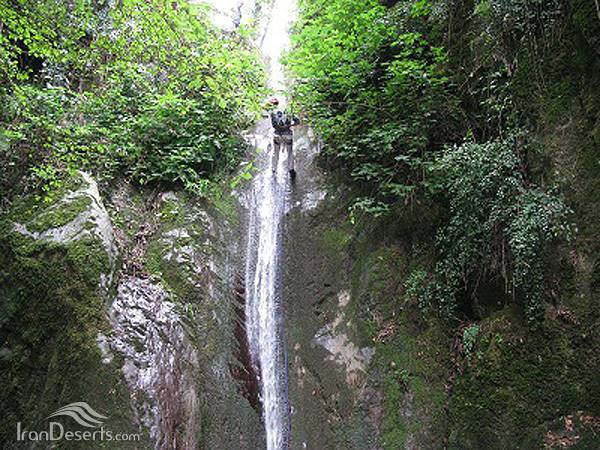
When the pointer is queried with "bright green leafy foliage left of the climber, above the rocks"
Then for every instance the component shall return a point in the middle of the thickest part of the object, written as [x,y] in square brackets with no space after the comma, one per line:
[148,89]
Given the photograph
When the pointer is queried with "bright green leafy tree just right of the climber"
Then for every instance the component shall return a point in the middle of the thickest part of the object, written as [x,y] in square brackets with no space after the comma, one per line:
[375,87]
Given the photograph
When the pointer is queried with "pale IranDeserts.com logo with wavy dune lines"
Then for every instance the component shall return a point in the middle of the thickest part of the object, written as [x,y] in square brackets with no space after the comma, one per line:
[84,415]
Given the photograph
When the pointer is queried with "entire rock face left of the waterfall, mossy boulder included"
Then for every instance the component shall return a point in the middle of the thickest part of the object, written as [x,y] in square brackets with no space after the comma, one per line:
[129,307]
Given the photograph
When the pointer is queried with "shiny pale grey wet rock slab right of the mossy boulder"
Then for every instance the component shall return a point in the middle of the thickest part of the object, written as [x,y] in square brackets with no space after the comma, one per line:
[158,361]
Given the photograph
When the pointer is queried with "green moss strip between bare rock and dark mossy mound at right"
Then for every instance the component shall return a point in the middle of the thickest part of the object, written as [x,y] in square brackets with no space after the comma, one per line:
[411,361]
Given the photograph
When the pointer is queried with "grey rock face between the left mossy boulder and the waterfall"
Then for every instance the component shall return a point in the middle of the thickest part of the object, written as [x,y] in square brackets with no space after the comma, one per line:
[174,322]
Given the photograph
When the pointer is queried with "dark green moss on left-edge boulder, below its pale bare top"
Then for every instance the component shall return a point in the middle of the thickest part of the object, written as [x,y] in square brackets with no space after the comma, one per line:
[50,315]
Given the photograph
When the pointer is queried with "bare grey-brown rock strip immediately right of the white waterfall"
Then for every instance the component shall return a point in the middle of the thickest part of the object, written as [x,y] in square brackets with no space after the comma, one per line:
[333,404]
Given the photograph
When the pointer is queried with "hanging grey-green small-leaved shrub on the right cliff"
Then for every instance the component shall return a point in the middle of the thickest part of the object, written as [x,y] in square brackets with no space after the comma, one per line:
[497,224]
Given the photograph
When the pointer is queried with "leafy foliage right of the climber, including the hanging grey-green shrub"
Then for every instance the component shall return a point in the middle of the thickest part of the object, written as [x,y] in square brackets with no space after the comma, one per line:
[410,115]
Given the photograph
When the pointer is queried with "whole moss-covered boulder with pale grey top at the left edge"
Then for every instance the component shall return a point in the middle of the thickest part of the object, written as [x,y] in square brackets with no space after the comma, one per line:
[57,266]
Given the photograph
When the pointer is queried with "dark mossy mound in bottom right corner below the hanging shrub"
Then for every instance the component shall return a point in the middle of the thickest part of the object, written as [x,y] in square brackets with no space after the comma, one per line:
[522,381]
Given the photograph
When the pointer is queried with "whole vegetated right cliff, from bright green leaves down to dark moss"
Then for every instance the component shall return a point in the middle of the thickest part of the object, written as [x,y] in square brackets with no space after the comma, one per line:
[470,129]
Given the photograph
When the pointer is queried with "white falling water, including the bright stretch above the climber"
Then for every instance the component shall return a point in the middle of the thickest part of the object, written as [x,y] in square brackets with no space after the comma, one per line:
[263,271]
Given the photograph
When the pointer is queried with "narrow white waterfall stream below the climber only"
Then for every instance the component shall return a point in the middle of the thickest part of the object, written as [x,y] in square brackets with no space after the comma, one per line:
[263,298]
